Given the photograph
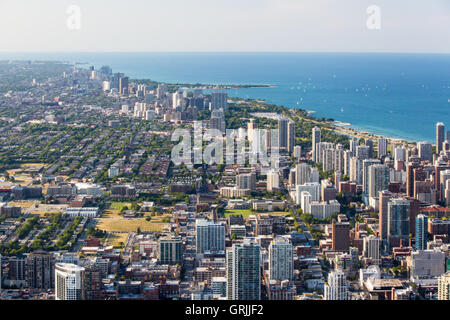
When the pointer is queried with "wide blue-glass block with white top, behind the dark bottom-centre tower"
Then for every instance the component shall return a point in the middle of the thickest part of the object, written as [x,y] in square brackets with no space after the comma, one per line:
[210,236]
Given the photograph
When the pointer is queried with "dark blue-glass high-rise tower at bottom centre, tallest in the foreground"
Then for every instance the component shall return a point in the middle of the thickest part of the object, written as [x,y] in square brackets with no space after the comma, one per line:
[244,271]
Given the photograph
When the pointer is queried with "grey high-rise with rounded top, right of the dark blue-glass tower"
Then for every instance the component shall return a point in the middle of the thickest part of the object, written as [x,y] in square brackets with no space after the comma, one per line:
[281,259]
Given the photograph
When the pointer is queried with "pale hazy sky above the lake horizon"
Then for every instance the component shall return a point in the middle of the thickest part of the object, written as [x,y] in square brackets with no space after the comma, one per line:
[404,26]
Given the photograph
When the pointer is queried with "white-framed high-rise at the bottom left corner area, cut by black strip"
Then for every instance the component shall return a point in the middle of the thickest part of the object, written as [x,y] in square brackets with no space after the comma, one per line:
[69,282]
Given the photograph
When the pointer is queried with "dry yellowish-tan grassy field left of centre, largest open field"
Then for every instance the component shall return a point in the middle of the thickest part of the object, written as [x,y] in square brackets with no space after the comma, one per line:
[131,225]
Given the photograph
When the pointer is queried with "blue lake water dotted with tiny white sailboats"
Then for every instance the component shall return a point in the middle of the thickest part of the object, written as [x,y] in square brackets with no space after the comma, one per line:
[397,95]
